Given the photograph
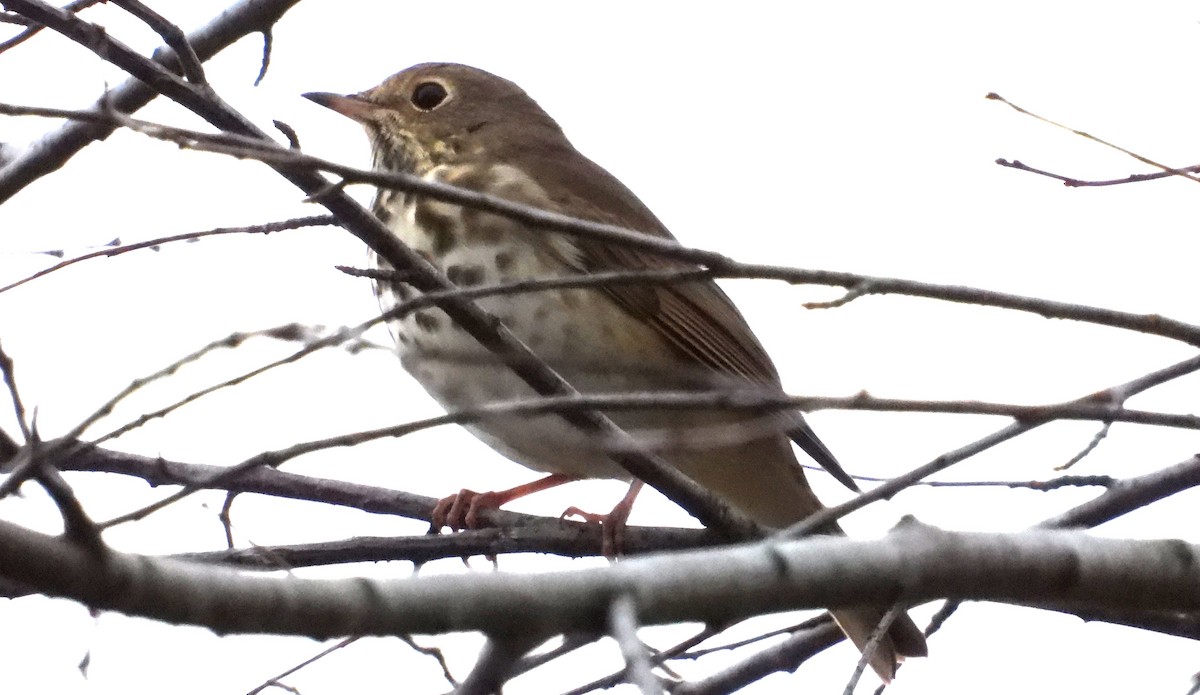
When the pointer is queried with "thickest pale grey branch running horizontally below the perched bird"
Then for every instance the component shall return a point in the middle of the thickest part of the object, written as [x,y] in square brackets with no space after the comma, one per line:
[1046,567]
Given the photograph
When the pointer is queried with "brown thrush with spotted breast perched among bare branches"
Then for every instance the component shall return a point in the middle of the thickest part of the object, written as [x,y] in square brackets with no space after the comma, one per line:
[467,128]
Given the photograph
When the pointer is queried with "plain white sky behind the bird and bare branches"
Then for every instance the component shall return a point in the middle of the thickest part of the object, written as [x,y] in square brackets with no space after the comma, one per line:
[849,137]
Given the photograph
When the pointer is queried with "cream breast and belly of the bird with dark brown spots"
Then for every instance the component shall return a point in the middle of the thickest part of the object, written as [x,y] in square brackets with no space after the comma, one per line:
[563,327]
